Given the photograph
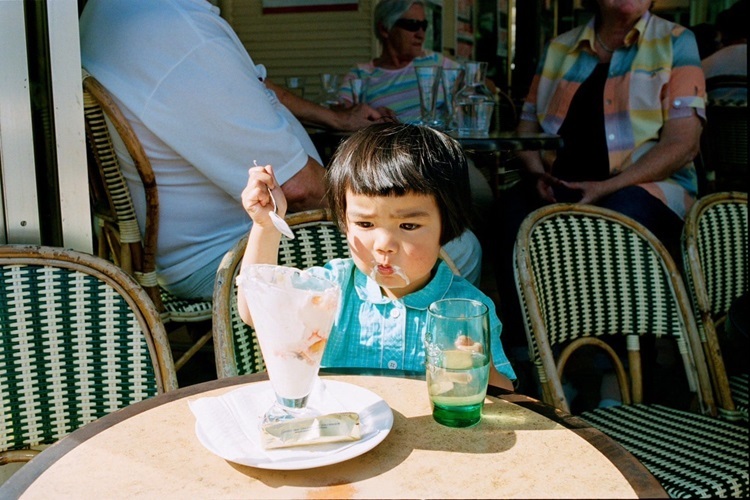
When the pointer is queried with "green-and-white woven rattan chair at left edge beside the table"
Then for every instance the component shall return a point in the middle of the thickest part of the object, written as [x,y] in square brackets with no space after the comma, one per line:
[79,339]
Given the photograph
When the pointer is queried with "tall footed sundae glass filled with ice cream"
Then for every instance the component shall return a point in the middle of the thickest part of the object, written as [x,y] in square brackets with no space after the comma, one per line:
[293,312]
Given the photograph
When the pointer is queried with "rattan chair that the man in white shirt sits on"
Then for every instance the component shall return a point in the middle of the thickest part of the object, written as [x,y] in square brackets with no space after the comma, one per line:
[119,235]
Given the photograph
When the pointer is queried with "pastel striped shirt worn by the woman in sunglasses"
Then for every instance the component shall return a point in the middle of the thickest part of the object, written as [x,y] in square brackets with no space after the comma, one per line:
[394,88]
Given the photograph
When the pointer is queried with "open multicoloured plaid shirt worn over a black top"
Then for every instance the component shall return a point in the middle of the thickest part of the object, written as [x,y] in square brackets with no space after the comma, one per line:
[654,77]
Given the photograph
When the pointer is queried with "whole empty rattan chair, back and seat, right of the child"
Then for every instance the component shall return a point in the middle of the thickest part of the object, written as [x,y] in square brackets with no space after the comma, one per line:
[587,275]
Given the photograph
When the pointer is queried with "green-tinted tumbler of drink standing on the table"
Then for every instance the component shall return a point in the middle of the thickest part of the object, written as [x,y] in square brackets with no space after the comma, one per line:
[457,360]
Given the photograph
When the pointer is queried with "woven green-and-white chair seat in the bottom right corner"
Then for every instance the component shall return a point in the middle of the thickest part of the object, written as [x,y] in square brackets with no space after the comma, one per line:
[693,456]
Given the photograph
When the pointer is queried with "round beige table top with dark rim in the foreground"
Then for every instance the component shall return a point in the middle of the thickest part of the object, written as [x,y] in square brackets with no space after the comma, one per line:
[150,449]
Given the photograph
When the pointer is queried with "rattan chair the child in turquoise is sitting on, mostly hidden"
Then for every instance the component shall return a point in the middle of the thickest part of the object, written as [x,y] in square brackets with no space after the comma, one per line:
[317,240]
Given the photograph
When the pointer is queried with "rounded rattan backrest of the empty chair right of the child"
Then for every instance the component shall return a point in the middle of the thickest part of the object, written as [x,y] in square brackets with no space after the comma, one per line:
[584,271]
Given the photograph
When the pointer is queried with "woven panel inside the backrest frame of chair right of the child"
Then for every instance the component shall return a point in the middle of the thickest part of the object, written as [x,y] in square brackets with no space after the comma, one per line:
[594,277]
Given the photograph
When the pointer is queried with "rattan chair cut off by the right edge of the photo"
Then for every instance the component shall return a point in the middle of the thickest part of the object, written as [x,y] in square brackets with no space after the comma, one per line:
[715,256]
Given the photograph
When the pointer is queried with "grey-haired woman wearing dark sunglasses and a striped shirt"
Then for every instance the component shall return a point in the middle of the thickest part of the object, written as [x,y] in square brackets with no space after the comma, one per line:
[389,80]
